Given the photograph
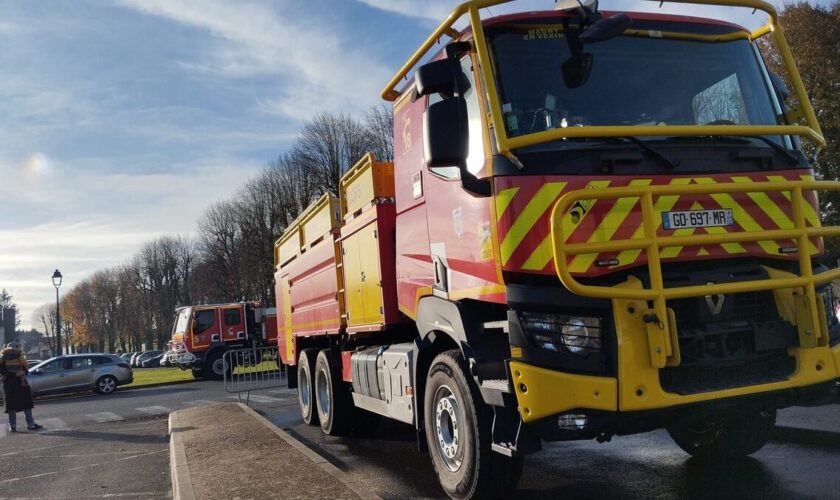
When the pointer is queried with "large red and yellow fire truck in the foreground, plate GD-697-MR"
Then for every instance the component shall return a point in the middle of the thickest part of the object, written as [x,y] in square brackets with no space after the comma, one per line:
[595,224]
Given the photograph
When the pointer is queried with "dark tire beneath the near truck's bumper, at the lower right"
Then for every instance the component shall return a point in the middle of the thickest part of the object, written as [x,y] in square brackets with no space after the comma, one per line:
[734,437]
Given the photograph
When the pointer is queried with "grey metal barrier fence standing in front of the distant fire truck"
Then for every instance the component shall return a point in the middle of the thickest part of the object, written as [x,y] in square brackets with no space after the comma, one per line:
[252,369]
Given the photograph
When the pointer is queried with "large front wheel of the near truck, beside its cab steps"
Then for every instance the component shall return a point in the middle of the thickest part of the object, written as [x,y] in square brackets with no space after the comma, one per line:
[458,432]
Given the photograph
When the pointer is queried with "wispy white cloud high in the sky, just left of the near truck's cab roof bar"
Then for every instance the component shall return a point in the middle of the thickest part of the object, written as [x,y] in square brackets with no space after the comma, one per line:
[326,71]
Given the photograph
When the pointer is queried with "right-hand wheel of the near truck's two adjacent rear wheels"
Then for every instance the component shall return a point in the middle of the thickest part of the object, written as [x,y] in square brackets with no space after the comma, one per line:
[332,397]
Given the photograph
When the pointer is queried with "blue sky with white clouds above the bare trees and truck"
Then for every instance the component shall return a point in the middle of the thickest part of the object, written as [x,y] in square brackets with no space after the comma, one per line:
[121,120]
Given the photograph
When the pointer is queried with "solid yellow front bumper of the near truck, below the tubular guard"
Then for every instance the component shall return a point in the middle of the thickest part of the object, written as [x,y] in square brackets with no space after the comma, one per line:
[542,392]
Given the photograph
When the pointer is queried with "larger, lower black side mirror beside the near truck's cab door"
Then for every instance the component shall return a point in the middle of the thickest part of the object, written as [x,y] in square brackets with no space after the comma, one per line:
[446,133]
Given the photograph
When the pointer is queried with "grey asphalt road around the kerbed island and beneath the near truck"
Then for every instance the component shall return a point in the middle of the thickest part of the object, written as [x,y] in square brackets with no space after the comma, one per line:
[116,446]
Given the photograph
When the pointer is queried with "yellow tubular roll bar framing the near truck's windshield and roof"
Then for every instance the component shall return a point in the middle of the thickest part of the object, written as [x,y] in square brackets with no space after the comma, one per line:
[506,144]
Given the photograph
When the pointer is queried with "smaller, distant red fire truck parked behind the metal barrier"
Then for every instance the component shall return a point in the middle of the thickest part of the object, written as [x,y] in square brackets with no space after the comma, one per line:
[202,334]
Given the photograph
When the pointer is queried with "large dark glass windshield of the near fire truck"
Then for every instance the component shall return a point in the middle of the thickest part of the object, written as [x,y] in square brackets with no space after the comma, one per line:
[649,78]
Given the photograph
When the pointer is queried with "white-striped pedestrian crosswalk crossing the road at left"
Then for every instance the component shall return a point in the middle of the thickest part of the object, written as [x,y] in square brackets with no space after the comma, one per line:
[69,423]
